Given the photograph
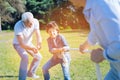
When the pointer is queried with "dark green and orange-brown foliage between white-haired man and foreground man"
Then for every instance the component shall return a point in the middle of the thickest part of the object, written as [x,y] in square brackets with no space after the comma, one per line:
[60,11]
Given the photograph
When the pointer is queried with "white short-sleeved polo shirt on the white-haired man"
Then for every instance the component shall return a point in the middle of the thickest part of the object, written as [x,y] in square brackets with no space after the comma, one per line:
[26,33]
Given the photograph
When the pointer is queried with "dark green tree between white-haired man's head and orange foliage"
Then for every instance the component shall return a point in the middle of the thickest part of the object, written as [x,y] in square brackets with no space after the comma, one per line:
[41,9]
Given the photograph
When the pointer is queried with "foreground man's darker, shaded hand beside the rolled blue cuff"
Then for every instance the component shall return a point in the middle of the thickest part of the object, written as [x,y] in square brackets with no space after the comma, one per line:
[97,55]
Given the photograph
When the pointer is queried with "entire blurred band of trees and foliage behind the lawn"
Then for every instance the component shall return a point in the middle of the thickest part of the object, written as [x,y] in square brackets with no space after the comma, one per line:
[61,11]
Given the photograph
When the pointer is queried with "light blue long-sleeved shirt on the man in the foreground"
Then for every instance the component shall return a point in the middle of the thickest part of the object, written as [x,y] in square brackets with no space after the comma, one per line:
[104,19]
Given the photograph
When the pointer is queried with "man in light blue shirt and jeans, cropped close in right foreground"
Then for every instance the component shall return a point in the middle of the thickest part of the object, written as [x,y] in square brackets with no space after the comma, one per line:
[104,19]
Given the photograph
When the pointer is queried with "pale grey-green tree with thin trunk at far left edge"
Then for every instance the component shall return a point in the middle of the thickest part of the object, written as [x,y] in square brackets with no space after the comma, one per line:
[7,7]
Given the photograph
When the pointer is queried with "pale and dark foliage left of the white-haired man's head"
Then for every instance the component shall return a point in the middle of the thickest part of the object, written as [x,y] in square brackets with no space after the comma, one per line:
[10,10]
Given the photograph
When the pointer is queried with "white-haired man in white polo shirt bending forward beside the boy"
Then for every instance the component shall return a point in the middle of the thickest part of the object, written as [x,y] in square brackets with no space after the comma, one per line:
[22,43]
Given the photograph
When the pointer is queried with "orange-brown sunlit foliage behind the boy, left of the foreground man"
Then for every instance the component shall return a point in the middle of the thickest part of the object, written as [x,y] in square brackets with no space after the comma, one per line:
[67,16]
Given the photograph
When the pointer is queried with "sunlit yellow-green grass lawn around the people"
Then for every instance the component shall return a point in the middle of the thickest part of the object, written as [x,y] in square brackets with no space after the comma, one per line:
[81,67]
